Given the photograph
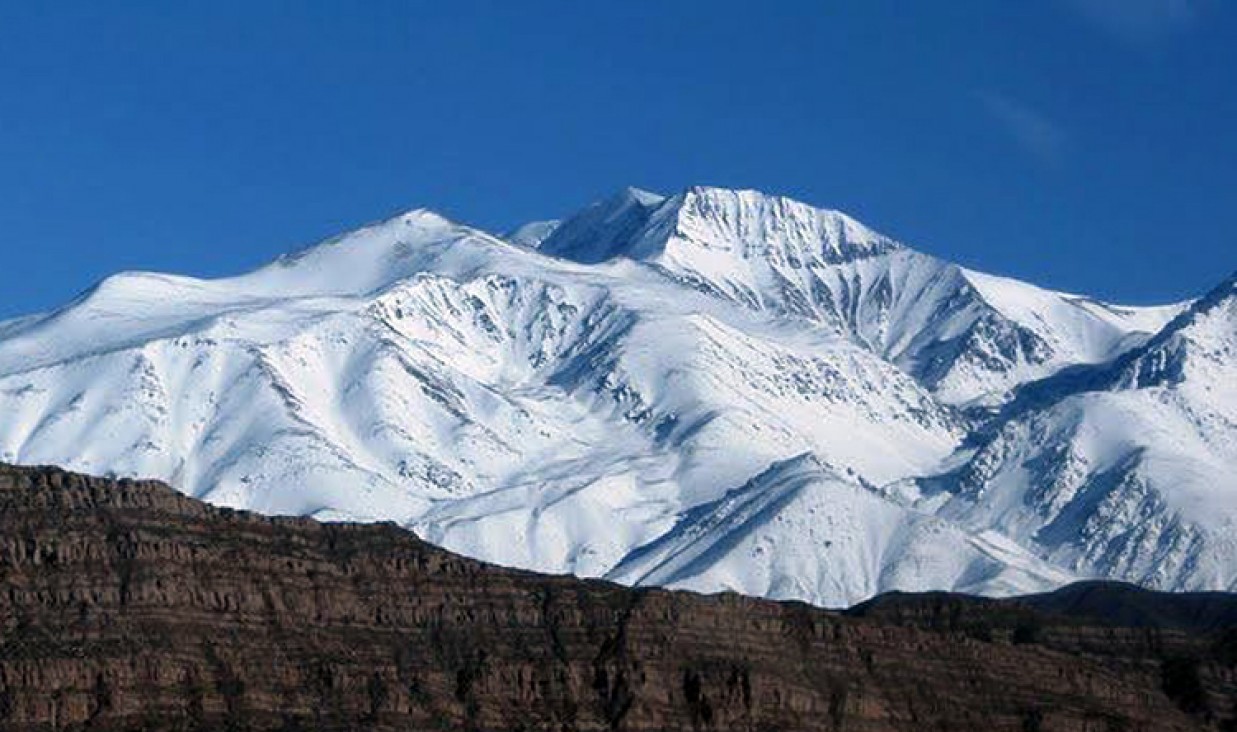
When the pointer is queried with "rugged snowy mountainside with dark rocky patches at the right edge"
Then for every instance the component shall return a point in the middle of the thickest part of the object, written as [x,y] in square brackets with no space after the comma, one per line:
[1125,469]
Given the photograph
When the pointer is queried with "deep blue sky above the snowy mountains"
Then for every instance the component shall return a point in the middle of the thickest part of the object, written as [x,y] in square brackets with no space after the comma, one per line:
[1087,145]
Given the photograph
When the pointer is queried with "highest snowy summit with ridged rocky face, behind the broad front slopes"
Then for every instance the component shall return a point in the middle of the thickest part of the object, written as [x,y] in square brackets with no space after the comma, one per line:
[968,337]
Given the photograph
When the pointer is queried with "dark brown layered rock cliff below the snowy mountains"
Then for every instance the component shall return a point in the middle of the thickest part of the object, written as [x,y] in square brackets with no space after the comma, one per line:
[128,606]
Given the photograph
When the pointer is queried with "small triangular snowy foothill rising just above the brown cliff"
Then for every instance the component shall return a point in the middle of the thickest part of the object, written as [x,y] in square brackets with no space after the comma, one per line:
[800,530]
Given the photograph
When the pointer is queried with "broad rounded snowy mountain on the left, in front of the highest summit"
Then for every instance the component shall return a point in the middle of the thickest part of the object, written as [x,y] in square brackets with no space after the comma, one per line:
[515,407]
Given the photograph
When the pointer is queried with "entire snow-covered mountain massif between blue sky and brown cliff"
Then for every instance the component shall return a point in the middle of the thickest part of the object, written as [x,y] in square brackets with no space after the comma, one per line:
[714,390]
